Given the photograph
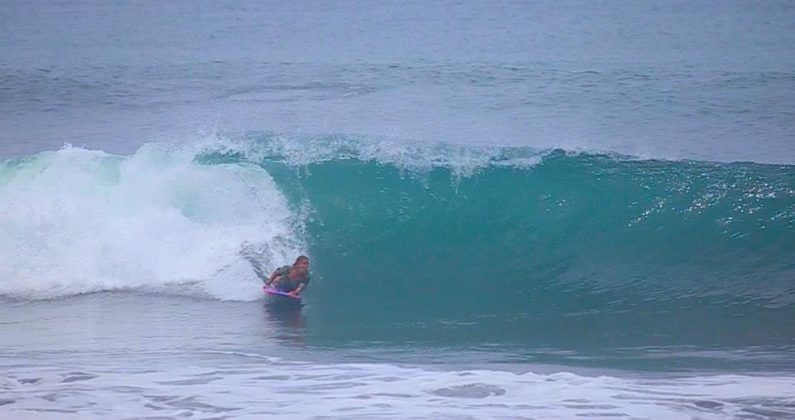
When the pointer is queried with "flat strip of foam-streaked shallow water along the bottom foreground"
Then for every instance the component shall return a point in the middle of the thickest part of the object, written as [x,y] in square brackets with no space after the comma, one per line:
[252,386]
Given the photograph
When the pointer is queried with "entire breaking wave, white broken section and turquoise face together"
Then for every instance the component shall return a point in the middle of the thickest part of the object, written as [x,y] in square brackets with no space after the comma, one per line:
[412,233]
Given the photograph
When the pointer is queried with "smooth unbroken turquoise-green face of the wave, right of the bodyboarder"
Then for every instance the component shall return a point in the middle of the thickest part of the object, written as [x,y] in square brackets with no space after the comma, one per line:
[576,247]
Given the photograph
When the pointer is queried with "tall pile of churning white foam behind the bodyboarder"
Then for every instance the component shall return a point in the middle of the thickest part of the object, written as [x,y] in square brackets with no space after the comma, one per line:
[77,221]
